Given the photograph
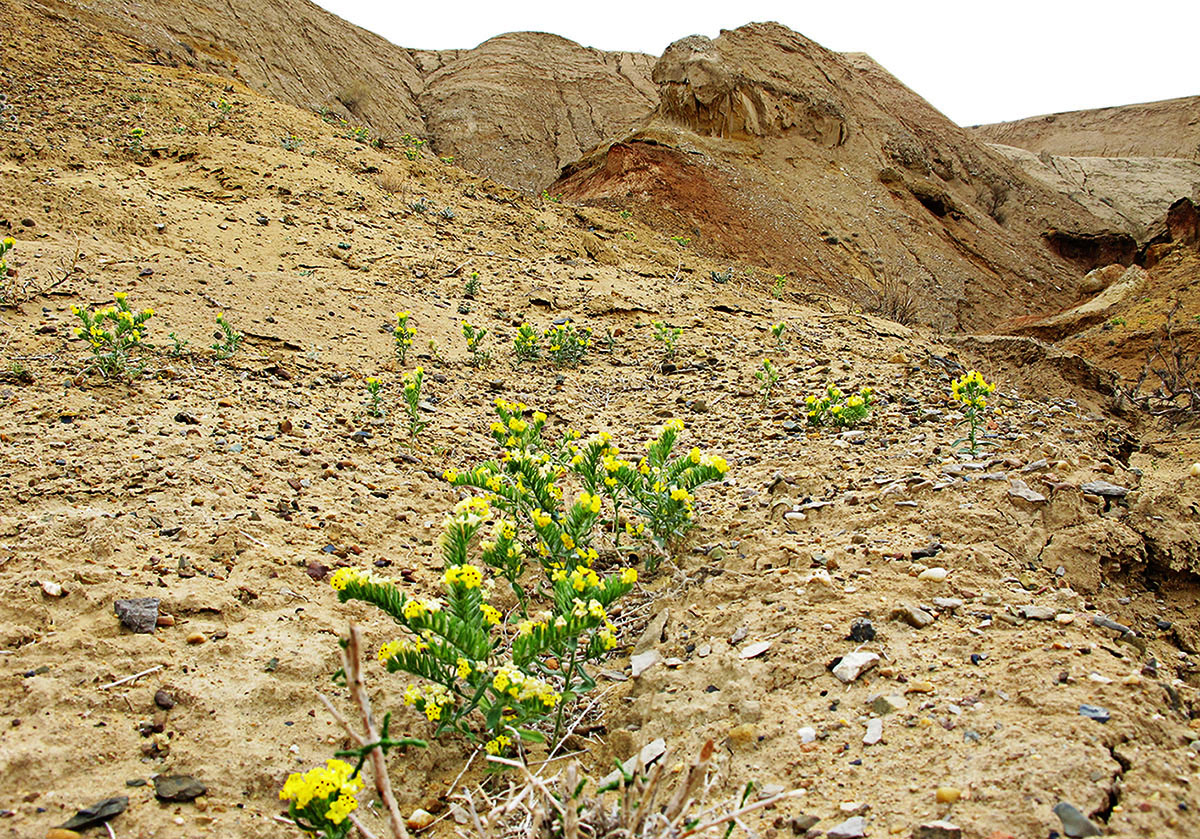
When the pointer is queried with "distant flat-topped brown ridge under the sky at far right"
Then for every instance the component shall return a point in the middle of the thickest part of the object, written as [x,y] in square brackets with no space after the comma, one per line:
[1166,129]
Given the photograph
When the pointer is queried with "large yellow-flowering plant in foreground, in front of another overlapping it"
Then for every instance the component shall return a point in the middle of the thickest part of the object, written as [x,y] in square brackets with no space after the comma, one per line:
[466,656]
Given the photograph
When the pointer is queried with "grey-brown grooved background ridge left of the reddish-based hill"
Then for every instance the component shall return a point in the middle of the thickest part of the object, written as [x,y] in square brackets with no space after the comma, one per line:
[518,109]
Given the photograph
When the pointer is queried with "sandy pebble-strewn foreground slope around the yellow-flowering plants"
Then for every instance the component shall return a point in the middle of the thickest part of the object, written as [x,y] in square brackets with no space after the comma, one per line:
[233,489]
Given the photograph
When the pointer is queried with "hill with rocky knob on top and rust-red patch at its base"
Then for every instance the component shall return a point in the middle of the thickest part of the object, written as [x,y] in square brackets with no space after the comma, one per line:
[825,169]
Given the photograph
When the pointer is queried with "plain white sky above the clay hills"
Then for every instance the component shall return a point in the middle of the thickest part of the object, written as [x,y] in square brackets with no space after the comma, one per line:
[976,62]
